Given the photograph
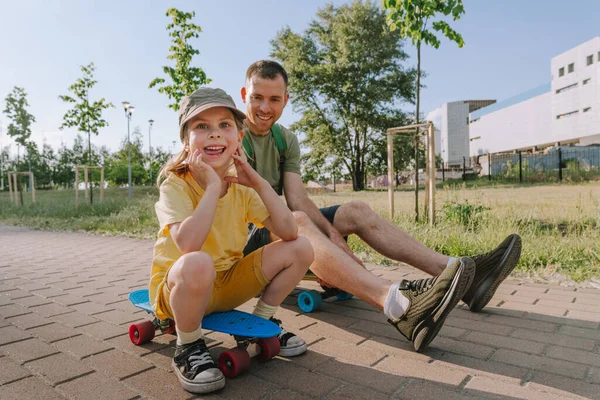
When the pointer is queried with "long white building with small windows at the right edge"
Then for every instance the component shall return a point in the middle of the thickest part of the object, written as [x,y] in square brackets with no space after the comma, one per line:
[565,111]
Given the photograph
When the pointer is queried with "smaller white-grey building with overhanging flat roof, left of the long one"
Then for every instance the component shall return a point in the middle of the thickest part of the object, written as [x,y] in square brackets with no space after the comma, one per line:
[451,123]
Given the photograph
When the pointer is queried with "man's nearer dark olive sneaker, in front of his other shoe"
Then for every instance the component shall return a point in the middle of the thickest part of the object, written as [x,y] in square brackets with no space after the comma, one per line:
[431,300]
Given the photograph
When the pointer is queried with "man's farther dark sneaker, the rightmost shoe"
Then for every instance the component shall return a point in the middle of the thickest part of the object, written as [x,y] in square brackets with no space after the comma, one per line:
[490,270]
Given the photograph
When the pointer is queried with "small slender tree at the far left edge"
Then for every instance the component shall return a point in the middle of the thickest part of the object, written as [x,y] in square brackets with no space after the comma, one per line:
[21,119]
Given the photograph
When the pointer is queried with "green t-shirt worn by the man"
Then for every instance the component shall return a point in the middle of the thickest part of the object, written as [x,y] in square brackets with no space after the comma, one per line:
[267,155]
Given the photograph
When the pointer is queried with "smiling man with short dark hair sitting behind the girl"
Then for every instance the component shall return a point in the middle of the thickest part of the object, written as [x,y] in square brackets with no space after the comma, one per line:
[416,308]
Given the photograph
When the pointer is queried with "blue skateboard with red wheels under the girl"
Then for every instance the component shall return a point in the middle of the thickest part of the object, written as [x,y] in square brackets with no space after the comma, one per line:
[255,336]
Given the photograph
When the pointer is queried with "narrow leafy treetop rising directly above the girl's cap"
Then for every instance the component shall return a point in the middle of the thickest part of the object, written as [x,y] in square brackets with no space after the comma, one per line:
[185,78]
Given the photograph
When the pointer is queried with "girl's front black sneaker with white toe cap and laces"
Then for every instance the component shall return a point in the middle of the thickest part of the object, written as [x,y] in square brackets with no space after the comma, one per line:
[195,368]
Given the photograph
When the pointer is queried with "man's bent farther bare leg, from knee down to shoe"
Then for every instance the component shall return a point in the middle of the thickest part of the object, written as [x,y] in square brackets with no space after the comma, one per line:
[386,238]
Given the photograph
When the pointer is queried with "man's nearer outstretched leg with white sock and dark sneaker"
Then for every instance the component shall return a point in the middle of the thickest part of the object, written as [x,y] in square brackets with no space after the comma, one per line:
[417,309]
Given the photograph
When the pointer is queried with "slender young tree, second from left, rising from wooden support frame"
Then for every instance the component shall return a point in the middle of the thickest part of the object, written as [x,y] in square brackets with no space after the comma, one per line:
[86,116]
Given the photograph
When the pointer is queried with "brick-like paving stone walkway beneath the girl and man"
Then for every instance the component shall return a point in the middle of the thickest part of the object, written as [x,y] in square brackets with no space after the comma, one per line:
[64,316]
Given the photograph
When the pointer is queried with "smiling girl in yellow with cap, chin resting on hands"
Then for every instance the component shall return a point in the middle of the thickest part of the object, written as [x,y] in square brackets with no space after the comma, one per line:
[198,266]
